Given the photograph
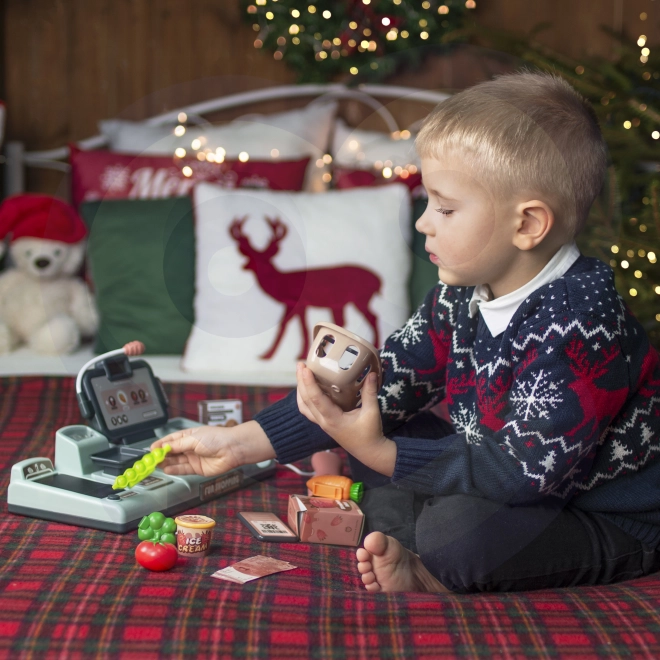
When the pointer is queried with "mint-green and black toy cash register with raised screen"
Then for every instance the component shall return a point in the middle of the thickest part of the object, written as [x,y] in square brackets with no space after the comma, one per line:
[127,409]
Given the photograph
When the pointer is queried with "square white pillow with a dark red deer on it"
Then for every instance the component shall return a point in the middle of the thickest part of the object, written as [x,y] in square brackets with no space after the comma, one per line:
[270,265]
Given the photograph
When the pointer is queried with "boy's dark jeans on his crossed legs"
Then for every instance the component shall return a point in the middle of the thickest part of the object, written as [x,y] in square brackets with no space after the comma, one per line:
[472,544]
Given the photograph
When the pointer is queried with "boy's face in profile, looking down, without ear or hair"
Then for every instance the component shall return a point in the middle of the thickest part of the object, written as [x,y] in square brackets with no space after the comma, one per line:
[468,233]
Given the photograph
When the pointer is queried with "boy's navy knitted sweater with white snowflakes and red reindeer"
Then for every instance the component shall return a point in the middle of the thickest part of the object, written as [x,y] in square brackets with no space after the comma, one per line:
[563,405]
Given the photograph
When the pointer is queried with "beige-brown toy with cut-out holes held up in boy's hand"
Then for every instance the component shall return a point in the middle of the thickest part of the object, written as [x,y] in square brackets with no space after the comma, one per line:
[340,360]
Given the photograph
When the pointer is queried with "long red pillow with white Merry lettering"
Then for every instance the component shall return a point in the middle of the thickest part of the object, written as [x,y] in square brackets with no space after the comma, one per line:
[97,175]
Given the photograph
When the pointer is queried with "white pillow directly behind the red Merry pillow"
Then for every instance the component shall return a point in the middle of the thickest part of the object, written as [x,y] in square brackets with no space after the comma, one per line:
[295,134]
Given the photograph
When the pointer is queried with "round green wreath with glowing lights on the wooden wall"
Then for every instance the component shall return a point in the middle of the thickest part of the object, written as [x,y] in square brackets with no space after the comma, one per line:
[324,38]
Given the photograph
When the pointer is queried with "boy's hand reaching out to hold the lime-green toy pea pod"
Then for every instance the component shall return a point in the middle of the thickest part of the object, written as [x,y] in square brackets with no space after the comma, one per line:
[211,450]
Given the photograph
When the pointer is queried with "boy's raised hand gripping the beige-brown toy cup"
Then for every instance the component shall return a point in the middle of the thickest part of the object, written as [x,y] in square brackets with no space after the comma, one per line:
[359,432]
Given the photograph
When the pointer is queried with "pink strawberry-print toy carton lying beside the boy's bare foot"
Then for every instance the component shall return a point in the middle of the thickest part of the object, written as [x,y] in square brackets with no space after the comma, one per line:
[324,520]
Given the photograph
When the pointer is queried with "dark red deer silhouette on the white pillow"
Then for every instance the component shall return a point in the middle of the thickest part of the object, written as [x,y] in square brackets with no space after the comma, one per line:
[332,288]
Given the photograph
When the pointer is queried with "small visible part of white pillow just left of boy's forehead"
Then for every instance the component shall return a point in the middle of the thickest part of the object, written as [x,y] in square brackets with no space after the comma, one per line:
[358,149]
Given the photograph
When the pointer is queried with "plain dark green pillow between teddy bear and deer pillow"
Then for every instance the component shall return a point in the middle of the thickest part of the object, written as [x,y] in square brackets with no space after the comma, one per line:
[141,254]
